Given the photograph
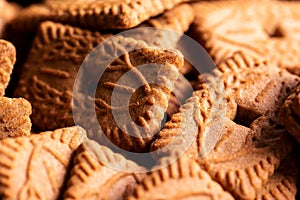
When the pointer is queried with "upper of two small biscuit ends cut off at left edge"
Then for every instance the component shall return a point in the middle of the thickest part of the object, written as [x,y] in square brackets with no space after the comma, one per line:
[7,61]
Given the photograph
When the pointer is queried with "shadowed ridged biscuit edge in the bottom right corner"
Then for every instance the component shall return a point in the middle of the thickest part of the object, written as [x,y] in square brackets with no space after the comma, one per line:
[283,184]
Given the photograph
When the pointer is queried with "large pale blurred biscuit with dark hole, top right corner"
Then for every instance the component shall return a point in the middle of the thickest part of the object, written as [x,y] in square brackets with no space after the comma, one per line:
[260,28]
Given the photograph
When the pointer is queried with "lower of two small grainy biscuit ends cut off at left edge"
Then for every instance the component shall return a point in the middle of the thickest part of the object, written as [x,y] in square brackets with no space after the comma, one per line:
[14,117]
